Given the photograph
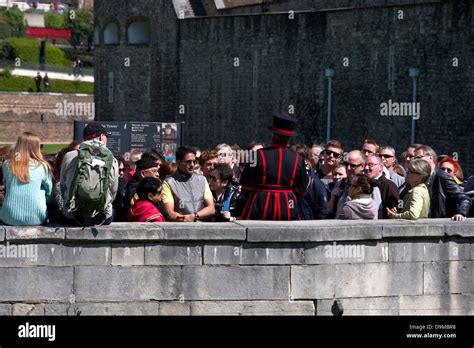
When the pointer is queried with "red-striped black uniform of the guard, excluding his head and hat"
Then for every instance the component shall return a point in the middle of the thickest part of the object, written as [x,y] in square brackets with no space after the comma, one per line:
[273,186]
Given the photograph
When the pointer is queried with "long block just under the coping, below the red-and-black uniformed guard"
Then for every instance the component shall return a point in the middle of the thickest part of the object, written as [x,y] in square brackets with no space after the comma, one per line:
[254,254]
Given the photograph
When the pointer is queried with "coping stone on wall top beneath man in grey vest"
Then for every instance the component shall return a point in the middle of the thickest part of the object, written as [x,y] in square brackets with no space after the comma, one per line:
[203,231]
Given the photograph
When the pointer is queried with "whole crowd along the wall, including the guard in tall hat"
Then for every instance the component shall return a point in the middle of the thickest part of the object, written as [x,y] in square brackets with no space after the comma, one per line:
[84,184]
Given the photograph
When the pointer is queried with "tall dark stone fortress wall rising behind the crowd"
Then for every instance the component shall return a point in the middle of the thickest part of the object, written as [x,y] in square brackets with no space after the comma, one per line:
[189,72]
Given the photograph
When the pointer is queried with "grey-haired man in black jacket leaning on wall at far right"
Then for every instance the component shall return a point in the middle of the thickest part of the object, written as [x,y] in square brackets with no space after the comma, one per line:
[447,198]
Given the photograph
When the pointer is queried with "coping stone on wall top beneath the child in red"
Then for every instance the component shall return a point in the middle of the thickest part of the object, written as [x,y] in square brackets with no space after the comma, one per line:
[118,231]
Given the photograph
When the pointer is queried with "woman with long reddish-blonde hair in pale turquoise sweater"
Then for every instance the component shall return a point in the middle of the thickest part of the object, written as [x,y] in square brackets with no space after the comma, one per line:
[28,183]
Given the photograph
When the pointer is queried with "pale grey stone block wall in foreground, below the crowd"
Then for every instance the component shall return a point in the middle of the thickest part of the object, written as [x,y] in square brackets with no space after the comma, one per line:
[265,268]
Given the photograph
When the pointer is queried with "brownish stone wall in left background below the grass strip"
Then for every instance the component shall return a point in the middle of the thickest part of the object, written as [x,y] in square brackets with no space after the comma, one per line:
[37,113]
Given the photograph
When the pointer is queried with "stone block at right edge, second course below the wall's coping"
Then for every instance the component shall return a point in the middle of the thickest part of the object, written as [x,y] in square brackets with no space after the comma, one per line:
[448,277]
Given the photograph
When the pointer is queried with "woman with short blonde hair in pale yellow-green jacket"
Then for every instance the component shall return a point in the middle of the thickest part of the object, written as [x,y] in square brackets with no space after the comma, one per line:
[416,204]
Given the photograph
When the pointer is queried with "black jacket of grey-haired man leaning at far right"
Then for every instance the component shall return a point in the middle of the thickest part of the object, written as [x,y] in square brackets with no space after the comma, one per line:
[447,198]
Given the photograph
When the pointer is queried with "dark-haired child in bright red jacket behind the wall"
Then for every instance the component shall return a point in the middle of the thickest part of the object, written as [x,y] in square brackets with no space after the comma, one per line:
[144,209]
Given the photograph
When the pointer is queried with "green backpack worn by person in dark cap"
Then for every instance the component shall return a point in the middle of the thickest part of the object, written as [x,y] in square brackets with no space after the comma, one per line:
[90,186]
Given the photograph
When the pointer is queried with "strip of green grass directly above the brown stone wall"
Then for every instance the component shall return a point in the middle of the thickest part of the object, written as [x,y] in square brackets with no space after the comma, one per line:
[27,84]
